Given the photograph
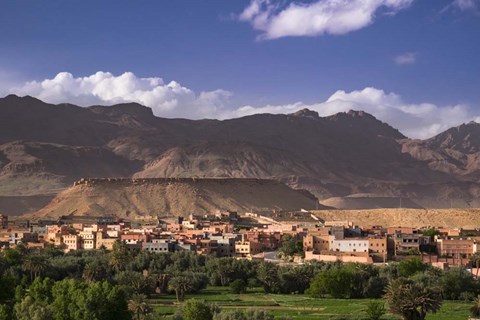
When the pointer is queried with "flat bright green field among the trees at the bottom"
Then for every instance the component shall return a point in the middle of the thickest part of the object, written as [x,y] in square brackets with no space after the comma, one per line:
[300,306]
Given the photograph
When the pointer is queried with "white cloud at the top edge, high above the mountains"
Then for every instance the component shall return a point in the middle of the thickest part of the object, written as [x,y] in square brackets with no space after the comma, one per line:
[316,18]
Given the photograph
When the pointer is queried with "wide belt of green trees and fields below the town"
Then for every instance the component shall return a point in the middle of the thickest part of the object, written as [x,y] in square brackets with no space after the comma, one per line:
[121,284]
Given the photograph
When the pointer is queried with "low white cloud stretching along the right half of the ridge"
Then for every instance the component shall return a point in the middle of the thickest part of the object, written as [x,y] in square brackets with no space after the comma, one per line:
[422,120]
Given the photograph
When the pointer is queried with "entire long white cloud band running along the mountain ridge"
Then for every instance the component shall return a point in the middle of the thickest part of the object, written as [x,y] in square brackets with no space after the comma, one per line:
[421,120]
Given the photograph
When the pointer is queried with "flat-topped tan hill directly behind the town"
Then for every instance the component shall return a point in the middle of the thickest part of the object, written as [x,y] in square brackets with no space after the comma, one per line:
[137,198]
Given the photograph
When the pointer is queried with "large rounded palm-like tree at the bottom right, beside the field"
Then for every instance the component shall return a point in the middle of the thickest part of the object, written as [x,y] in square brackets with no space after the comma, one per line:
[412,300]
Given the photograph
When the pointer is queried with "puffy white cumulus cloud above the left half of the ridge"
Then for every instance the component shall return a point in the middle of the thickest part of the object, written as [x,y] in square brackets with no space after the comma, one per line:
[166,99]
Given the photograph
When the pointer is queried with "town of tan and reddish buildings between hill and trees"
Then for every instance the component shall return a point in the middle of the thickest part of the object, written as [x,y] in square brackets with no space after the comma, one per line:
[252,236]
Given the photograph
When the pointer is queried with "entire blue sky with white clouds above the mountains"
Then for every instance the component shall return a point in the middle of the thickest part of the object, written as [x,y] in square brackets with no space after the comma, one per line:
[412,63]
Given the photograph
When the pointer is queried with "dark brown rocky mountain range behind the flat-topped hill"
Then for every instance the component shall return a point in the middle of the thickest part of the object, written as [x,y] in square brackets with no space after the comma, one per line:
[44,148]
